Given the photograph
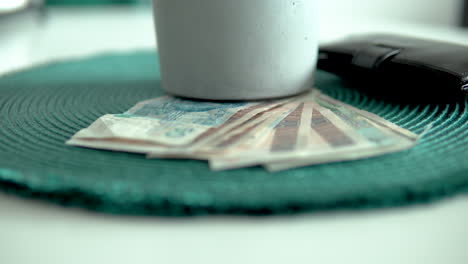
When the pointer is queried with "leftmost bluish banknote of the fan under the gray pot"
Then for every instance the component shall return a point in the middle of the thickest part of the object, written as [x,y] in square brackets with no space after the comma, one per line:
[171,121]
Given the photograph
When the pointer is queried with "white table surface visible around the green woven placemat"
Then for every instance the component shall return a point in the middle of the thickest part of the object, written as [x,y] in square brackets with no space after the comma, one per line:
[39,232]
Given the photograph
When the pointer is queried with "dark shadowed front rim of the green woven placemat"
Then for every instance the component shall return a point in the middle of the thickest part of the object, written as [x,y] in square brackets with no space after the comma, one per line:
[424,193]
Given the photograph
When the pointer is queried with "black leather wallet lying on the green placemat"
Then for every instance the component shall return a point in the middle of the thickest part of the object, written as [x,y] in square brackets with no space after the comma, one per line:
[400,68]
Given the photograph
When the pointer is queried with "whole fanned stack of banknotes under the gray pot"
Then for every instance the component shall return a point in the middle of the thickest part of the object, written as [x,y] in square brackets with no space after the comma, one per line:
[308,129]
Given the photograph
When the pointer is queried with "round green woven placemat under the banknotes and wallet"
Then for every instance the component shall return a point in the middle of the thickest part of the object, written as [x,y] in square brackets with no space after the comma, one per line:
[42,107]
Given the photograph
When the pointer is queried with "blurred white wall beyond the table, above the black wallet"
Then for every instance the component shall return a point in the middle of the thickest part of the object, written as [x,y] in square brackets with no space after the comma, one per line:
[436,12]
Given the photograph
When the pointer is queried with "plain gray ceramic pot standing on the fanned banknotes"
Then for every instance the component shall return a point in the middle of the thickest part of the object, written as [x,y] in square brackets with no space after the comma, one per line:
[236,49]
